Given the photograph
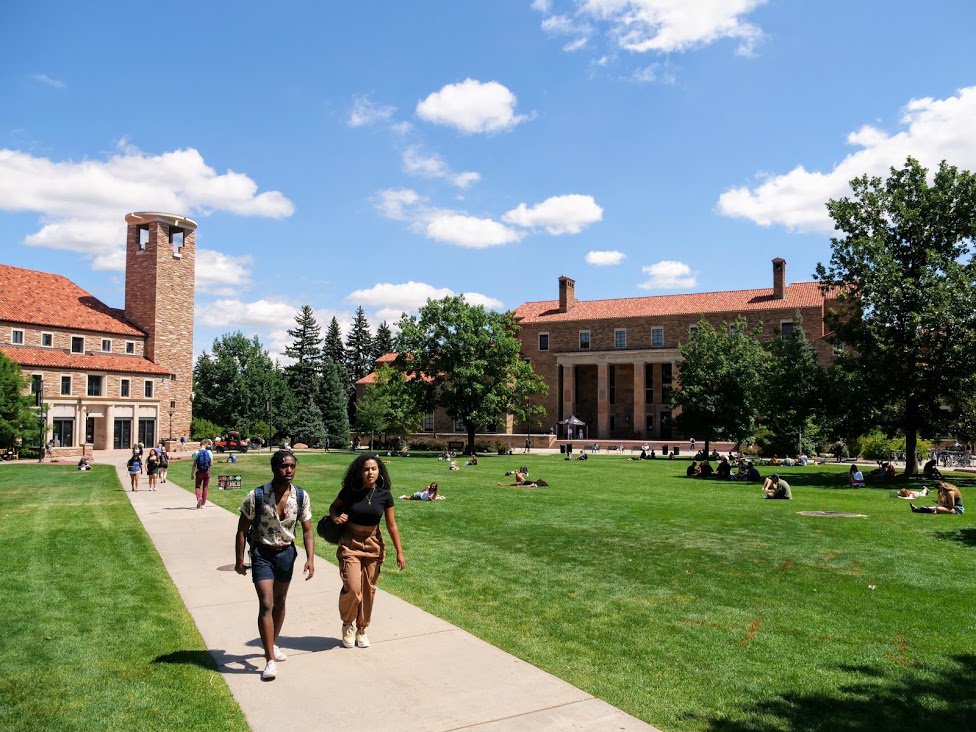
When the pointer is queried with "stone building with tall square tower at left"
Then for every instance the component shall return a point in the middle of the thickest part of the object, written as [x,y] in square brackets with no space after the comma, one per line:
[110,378]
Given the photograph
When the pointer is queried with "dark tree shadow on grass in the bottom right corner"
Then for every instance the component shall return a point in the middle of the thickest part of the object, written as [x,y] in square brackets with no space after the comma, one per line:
[915,698]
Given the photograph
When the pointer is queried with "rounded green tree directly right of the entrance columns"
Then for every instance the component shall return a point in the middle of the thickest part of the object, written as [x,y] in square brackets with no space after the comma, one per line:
[721,383]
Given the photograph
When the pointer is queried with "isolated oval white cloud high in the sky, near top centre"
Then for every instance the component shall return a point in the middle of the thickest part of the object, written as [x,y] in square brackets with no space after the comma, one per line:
[471,107]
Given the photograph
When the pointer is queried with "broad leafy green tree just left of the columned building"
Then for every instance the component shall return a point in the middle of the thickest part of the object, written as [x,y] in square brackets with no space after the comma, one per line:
[466,359]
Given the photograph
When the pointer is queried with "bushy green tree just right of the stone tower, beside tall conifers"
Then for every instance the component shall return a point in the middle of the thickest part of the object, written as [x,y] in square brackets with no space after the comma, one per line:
[234,384]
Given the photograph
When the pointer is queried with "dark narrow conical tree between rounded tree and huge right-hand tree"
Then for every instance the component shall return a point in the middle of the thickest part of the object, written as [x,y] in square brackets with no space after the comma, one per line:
[794,385]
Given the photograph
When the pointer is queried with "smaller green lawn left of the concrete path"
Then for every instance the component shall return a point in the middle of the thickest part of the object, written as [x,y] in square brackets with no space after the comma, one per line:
[94,635]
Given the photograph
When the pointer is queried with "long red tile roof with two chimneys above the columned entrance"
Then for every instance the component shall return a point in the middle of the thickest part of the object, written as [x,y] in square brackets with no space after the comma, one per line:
[797,295]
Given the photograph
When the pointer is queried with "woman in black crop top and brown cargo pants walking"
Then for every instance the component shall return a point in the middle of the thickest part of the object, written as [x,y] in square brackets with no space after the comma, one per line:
[365,498]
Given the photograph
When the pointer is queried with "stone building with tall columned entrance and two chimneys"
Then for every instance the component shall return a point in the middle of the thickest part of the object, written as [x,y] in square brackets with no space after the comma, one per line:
[610,362]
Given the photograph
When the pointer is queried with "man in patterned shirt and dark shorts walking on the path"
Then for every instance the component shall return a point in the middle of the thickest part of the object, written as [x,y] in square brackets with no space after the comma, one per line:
[269,518]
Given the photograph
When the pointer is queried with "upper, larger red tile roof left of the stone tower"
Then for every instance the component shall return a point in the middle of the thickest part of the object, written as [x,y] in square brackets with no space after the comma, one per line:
[38,298]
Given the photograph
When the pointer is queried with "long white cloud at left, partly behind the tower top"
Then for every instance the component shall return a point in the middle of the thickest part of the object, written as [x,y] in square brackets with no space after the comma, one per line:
[82,204]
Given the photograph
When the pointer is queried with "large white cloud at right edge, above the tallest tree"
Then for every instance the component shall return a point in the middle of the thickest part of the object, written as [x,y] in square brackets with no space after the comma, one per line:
[934,130]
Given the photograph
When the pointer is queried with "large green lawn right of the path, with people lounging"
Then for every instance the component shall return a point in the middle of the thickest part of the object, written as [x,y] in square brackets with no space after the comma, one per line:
[695,605]
